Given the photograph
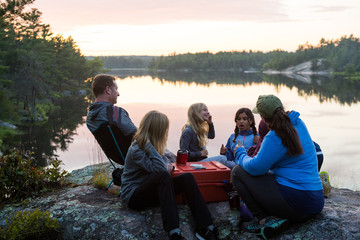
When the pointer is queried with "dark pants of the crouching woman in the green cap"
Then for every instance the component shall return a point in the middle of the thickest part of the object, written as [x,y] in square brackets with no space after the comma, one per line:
[263,197]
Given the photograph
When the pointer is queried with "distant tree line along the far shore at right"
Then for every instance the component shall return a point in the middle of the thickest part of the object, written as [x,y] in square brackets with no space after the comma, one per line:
[341,55]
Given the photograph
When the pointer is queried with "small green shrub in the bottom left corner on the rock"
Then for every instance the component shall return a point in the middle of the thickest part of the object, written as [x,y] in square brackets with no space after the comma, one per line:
[31,225]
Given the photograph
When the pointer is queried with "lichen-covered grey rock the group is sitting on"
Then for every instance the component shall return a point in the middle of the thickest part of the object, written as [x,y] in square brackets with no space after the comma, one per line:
[85,212]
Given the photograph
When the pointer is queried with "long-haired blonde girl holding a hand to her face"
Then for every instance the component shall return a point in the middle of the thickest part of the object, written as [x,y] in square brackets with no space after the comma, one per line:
[196,132]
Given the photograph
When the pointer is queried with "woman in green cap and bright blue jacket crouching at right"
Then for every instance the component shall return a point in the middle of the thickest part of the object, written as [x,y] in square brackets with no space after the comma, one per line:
[281,183]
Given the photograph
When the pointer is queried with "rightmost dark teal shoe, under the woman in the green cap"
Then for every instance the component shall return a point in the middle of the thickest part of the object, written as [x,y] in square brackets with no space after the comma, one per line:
[273,226]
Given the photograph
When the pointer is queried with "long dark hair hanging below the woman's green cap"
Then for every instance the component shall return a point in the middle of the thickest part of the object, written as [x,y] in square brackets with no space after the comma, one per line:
[281,124]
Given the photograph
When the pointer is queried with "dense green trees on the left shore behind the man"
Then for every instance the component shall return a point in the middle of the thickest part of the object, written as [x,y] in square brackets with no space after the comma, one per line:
[36,67]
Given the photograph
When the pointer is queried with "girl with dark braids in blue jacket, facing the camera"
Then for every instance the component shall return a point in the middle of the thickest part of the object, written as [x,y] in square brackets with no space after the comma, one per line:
[245,133]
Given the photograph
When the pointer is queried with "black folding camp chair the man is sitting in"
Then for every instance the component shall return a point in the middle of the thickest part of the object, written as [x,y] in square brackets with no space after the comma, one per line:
[109,137]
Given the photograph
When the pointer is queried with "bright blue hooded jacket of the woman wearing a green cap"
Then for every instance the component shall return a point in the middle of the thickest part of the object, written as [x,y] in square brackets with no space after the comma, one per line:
[298,172]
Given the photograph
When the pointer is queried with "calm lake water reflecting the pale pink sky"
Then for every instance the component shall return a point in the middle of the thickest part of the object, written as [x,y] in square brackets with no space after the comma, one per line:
[329,108]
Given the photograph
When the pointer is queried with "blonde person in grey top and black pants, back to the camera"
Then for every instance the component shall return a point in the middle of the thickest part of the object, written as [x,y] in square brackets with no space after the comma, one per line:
[147,181]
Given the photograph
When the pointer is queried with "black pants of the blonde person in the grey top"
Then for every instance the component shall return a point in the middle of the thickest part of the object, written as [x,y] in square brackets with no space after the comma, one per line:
[161,189]
